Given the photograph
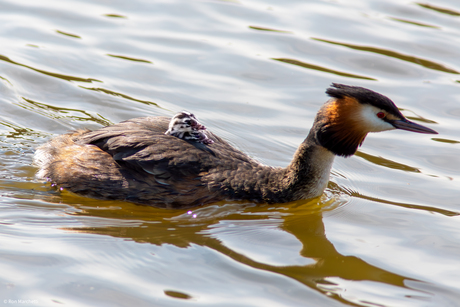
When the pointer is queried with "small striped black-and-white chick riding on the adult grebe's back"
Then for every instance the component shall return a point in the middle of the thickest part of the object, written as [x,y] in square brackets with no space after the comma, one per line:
[184,125]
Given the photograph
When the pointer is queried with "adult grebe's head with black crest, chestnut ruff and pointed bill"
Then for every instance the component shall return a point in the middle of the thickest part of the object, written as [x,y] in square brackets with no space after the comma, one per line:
[352,112]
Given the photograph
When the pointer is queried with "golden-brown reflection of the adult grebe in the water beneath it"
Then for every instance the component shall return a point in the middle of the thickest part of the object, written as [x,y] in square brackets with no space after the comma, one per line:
[303,220]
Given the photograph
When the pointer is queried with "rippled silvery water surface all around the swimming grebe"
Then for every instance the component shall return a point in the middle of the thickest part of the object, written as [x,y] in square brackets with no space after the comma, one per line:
[385,233]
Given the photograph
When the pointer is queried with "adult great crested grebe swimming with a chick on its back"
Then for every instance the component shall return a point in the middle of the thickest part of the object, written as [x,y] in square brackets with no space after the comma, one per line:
[178,164]
